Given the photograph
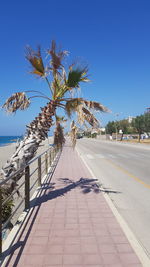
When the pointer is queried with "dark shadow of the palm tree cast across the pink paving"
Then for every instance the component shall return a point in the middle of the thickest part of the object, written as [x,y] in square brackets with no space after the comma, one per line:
[85,184]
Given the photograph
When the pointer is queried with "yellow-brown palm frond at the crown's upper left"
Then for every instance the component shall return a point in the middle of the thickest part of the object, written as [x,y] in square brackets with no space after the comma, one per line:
[36,61]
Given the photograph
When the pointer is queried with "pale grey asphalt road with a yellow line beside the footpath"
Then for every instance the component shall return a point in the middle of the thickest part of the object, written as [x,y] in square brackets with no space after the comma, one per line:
[124,172]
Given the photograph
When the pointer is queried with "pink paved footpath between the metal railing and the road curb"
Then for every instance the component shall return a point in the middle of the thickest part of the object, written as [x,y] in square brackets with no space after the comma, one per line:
[71,224]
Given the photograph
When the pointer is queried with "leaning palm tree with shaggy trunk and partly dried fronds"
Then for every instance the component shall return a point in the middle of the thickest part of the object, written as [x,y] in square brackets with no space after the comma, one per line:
[62,84]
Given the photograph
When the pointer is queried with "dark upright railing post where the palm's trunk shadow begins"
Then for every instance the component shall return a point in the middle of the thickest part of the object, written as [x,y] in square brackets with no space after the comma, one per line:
[27,187]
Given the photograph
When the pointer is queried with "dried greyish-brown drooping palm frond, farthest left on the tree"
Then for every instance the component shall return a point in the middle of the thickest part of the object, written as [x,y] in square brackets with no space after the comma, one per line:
[16,101]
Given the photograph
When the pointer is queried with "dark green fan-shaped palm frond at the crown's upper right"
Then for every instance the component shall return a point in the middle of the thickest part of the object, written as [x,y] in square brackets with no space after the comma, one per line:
[75,76]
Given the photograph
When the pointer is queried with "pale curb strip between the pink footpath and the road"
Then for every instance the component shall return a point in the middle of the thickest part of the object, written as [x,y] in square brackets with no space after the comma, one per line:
[137,247]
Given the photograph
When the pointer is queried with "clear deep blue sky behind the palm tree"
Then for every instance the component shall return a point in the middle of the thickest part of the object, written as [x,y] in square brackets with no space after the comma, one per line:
[112,36]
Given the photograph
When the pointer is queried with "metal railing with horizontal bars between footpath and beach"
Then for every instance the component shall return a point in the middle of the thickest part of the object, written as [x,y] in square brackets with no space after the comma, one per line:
[37,168]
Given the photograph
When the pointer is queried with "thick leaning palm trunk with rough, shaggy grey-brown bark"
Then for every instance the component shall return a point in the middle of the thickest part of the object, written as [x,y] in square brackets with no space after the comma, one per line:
[37,131]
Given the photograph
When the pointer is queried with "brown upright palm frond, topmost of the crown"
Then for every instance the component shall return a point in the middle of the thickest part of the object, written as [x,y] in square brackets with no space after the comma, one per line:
[57,57]
